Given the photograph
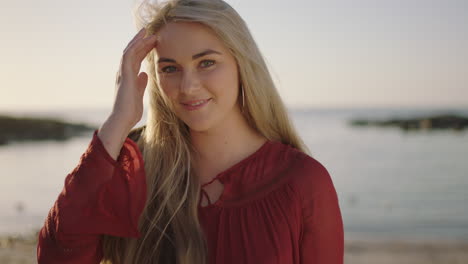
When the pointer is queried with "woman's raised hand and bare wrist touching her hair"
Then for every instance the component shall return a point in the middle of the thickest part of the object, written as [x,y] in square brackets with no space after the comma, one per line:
[130,88]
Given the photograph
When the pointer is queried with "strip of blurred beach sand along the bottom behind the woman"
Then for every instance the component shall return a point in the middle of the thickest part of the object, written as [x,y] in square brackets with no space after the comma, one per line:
[22,249]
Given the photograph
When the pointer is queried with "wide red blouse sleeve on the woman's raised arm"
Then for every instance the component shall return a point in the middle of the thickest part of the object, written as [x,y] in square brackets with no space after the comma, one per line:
[100,196]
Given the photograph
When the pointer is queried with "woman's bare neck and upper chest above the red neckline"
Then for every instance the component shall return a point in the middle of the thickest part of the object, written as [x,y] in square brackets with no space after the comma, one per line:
[223,146]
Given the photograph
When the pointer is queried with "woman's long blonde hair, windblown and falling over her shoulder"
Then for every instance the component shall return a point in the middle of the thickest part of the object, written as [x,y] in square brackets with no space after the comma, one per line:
[171,231]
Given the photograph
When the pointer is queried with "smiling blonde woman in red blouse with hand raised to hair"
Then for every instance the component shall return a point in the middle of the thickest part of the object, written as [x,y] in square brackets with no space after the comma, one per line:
[226,179]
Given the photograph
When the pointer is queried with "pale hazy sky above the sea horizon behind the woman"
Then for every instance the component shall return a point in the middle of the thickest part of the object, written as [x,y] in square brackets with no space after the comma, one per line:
[391,53]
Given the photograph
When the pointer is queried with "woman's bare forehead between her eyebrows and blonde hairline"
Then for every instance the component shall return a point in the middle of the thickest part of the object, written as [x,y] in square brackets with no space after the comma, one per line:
[181,40]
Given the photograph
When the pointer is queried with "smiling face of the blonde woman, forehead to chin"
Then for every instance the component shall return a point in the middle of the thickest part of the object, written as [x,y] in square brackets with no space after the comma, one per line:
[199,75]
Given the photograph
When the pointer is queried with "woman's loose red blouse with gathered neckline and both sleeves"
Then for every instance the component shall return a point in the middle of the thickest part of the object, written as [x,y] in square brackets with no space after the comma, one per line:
[278,205]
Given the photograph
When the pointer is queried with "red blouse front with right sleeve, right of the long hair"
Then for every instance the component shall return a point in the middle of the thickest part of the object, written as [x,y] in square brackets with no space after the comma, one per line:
[279,205]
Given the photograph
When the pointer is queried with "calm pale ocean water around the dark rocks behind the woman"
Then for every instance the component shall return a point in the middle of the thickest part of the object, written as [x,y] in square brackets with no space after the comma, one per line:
[391,184]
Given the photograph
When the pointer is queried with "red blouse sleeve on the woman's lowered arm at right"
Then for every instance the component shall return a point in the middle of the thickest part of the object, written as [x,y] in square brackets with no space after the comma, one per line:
[322,238]
